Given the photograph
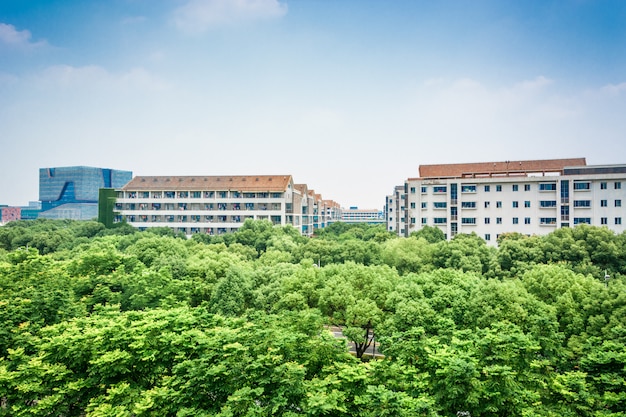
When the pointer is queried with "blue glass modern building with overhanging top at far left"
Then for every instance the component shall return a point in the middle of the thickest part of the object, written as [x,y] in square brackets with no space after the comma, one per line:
[72,192]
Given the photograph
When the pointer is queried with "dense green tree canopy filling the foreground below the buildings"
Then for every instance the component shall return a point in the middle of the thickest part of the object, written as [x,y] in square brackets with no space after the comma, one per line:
[116,322]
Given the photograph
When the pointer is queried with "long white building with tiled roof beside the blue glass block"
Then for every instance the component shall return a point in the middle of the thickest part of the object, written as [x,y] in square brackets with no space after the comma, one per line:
[216,205]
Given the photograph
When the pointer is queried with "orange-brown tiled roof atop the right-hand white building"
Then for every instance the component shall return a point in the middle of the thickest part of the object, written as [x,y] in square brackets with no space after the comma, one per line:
[497,168]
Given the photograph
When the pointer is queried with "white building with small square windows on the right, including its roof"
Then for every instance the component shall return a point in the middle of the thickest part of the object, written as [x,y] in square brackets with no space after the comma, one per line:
[530,197]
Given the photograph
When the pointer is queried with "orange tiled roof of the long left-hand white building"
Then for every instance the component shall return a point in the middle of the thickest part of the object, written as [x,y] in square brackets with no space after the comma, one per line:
[270,183]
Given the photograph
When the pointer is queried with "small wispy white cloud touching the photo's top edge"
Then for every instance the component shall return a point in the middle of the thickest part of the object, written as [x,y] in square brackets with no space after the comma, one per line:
[199,15]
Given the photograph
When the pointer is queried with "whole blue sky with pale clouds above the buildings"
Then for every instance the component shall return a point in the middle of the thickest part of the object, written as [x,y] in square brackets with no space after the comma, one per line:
[348,96]
